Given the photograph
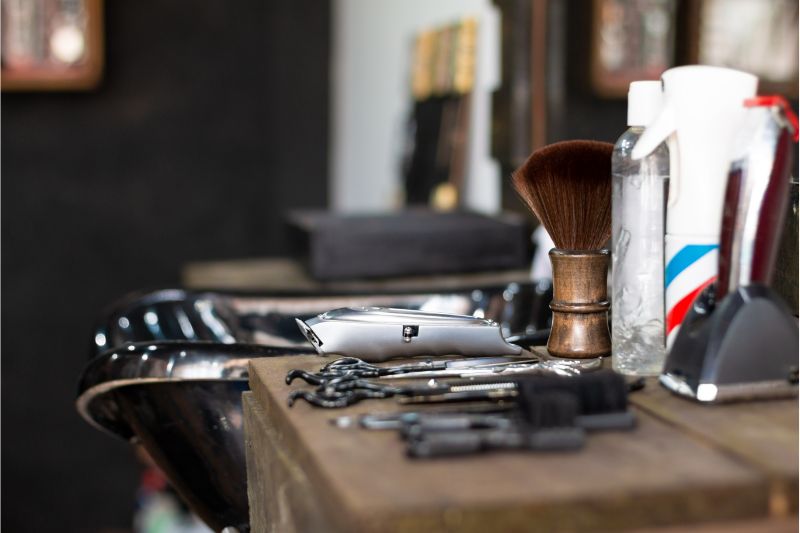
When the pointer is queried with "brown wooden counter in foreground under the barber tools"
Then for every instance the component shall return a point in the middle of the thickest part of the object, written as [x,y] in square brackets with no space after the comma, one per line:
[734,467]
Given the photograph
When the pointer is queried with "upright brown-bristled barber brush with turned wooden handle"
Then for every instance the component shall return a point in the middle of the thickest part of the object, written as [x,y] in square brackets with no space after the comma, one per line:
[567,185]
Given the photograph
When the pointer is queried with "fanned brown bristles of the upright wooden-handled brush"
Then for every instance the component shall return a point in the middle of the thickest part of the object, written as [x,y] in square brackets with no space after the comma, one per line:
[567,185]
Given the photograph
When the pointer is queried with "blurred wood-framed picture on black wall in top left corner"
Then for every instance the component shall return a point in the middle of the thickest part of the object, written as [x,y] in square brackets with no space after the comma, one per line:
[51,44]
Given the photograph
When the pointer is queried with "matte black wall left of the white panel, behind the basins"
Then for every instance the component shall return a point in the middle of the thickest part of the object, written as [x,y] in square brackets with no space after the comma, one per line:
[210,123]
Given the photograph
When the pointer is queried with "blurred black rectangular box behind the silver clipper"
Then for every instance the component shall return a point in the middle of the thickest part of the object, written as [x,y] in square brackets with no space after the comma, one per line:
[408,243]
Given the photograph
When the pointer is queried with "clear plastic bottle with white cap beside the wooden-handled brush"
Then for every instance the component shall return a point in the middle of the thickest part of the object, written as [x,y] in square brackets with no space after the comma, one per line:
[639,193]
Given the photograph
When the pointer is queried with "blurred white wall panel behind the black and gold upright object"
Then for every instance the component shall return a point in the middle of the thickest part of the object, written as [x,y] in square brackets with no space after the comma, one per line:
[371,98]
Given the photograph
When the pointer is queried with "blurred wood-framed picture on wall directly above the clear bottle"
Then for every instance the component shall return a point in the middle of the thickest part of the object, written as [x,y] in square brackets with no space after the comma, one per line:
[631,40]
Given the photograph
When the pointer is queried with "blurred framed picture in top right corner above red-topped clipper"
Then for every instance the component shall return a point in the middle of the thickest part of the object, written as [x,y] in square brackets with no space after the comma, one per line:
[757,36]
